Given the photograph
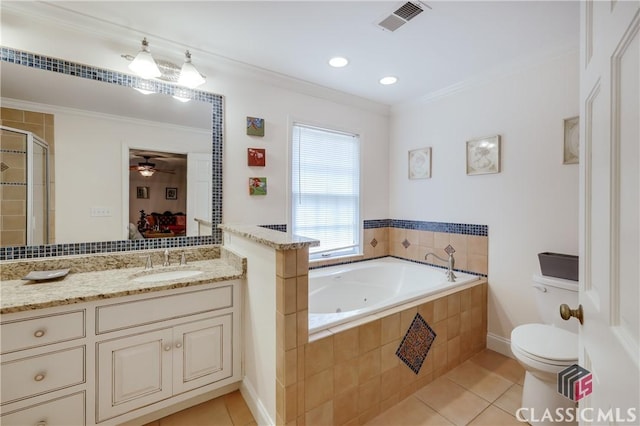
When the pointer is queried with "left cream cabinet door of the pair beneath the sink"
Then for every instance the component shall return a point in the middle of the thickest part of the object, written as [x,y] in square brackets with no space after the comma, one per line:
[133,371]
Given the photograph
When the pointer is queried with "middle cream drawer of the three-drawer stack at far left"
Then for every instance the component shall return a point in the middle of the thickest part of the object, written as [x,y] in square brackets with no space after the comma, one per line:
[36,375]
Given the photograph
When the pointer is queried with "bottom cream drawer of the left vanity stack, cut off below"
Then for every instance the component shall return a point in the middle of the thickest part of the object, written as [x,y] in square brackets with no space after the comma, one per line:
[65,411]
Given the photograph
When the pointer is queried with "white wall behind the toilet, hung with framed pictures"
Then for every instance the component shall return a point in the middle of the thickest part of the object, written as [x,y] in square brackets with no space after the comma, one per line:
[530,207]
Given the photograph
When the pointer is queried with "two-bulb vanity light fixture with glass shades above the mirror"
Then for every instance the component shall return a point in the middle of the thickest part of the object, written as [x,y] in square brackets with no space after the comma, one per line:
[148,67]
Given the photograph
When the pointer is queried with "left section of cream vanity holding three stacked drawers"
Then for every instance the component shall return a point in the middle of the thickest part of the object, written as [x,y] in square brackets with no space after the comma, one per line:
[43,368]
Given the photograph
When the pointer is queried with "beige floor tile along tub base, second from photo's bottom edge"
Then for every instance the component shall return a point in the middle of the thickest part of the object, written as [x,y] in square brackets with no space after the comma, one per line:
[454,402]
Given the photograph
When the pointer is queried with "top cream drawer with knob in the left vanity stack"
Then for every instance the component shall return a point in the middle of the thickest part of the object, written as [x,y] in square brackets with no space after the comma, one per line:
[41,331]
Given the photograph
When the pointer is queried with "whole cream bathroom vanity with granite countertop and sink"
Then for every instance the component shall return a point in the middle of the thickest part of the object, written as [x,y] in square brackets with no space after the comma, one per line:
[99,348]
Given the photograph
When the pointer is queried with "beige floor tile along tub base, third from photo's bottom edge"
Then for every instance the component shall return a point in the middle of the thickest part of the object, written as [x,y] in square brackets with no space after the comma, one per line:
[479,380]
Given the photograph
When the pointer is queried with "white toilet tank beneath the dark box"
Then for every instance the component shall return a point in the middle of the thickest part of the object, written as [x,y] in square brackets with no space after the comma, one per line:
[550,293]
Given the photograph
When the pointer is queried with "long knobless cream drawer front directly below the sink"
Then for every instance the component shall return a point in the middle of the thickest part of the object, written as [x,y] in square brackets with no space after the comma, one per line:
[130,314]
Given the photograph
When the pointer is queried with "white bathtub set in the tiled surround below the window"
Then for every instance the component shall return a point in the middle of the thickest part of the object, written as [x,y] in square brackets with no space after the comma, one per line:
[343,293]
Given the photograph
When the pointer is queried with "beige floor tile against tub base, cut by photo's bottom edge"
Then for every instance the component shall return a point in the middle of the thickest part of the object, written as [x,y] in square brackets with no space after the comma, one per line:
[409,412]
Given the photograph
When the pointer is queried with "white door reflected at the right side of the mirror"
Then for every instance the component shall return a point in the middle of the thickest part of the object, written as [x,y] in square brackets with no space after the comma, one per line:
[198,190]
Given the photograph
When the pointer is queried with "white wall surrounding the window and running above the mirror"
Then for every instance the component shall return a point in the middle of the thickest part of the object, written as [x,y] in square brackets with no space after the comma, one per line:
[247,92]
